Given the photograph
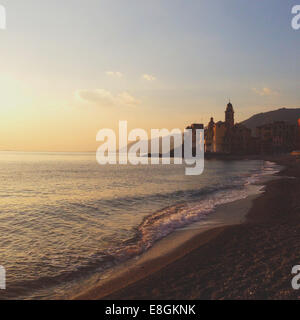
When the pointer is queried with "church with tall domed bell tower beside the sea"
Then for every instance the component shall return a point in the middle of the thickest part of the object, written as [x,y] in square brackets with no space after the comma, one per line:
[226,137]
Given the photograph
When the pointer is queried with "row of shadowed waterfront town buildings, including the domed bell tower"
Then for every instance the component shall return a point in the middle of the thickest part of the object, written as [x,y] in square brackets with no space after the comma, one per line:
[228,137]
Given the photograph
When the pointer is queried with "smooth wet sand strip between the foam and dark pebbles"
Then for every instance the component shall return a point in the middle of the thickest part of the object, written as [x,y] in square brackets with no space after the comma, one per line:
[171,249]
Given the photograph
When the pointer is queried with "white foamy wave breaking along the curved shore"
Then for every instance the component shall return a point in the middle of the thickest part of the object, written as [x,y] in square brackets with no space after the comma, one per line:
[166,221]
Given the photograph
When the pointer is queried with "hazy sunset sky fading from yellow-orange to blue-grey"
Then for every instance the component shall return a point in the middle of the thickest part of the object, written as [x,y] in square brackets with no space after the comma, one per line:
[70,68]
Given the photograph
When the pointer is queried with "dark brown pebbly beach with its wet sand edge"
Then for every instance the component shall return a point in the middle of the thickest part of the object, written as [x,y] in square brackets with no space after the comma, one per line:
[248,258]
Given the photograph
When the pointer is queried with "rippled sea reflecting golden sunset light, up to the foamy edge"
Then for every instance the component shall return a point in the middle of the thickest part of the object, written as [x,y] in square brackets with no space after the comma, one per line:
[64,218]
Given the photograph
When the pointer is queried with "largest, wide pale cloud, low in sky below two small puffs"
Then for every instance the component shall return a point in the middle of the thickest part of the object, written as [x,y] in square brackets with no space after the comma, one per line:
[104,98]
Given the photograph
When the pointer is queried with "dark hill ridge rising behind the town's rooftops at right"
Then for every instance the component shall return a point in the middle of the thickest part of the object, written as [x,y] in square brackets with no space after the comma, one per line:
[283,114]
